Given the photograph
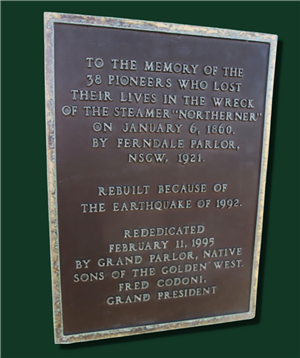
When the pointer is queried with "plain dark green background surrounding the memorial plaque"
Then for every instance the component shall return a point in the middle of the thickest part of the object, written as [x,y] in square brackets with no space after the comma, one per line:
[26,305]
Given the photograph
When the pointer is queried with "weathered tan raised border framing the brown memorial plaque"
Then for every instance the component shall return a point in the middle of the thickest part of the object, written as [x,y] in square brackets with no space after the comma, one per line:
[49,20]
